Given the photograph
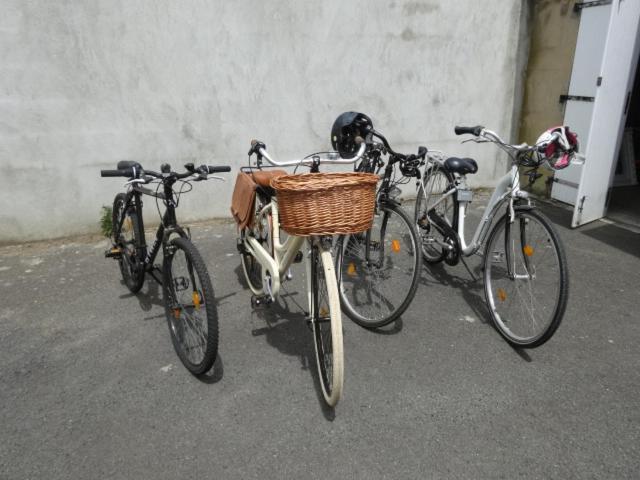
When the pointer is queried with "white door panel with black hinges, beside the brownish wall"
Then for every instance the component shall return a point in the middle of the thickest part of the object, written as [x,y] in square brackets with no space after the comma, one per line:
[592,35]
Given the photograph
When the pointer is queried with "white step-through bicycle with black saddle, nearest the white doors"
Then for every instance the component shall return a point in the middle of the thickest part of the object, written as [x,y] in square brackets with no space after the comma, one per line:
[526,280]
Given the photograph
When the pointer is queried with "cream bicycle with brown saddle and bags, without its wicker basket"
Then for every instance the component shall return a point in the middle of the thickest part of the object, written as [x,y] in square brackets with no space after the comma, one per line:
[266,260]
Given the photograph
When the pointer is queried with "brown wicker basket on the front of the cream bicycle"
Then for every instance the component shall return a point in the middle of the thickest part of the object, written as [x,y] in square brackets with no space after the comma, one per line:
[325,203]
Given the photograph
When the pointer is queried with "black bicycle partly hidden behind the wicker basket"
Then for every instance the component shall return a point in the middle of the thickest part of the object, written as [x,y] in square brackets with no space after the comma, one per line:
[378,270]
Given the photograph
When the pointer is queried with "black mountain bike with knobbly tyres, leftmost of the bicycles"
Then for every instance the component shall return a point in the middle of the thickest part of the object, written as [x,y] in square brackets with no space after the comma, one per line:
[188,295]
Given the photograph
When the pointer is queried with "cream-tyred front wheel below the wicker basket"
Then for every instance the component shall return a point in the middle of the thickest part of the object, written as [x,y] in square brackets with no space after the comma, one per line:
[326,324]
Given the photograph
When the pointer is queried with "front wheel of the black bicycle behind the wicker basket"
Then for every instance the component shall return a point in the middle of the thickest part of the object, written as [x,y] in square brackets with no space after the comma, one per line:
[379,269]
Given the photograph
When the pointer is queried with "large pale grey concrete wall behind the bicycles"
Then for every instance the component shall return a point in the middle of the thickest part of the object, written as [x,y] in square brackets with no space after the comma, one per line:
[85,84]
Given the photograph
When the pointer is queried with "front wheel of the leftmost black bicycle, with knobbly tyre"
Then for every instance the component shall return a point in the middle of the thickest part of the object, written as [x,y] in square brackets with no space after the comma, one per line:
[190,306]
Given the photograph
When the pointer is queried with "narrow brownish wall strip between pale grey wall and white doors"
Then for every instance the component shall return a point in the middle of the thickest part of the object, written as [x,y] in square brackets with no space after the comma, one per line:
[554,33]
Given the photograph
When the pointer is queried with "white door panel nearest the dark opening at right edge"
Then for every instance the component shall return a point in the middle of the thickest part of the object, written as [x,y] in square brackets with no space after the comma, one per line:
[609,110]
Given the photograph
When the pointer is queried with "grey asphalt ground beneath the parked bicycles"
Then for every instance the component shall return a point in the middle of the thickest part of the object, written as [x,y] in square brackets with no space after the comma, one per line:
[90,386]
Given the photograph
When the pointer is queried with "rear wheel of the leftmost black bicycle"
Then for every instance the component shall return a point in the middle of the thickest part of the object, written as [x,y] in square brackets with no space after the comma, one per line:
[127,239]
